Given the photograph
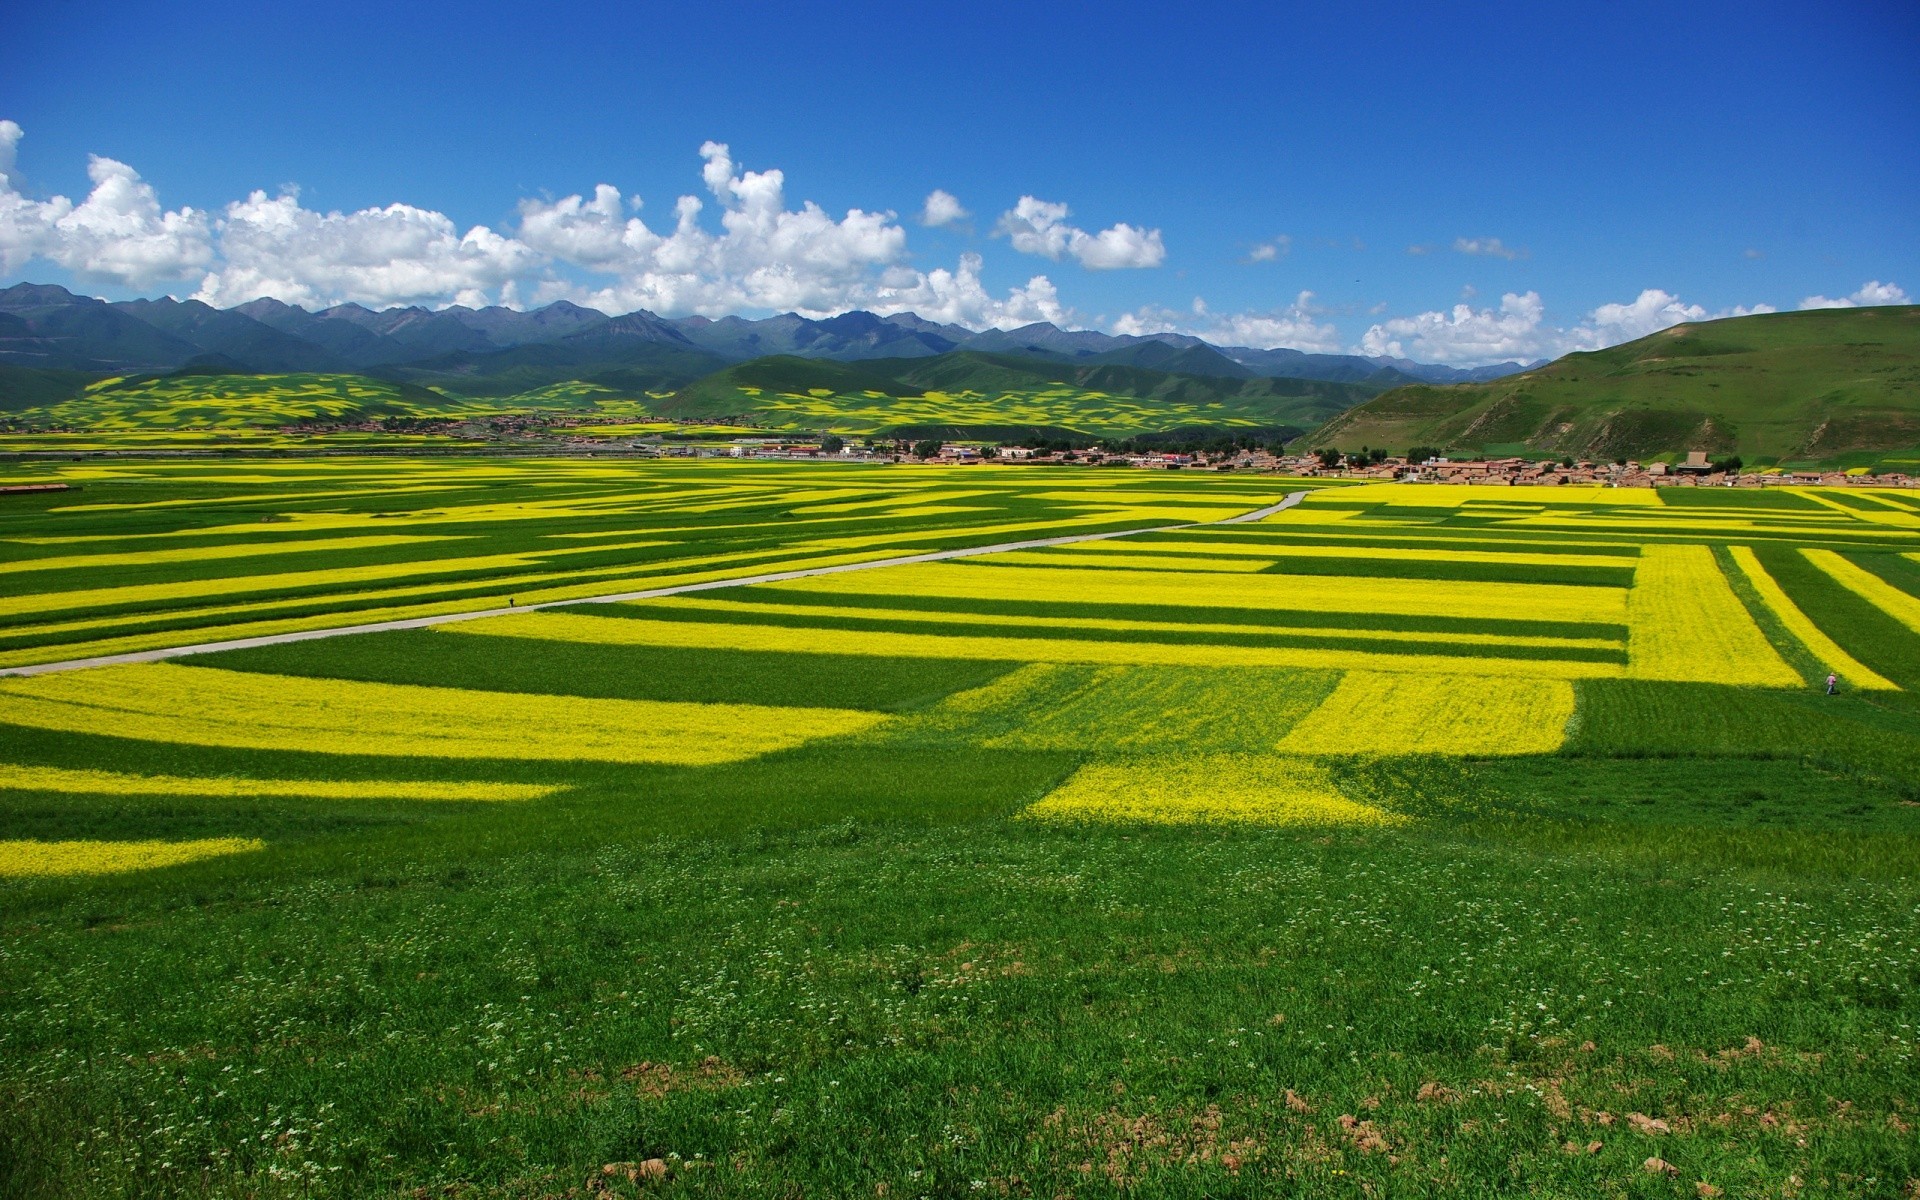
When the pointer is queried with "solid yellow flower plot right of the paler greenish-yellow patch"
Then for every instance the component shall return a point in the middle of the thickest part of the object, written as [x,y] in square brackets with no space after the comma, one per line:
[1395,713]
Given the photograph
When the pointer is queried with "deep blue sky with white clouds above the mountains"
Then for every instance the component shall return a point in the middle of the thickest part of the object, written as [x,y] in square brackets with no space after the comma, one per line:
[1570,174]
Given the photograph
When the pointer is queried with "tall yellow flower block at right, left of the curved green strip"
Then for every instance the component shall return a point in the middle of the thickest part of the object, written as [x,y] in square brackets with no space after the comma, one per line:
[1685,623]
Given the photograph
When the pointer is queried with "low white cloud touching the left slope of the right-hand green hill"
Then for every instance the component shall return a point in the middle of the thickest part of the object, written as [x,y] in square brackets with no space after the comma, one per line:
[1518,329]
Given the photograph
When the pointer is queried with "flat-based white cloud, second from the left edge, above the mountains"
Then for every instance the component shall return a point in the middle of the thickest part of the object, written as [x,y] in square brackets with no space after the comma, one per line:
[383,256]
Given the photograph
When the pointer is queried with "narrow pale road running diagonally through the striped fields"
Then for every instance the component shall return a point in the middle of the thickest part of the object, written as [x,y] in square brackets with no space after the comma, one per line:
[779,577]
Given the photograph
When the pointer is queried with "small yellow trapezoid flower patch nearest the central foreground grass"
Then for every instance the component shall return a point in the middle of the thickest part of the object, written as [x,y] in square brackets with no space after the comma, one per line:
[1259,790]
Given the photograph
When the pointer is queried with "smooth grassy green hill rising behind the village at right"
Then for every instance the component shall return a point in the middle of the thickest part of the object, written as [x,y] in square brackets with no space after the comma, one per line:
[1823,387]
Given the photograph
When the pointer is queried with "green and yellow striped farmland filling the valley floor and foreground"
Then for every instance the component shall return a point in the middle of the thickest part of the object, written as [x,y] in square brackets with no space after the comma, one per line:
[1412,842]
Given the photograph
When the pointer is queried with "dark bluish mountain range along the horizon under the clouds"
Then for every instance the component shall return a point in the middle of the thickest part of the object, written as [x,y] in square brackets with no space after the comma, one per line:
[64,339]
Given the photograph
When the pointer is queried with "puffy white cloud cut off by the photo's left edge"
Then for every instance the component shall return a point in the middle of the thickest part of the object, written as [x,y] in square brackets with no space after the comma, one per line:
[118,235]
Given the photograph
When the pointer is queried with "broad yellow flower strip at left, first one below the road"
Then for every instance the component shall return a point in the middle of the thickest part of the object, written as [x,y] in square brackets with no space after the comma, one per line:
[199,706]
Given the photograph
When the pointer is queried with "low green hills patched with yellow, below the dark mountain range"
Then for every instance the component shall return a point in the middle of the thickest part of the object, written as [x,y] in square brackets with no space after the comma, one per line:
[961,395]
